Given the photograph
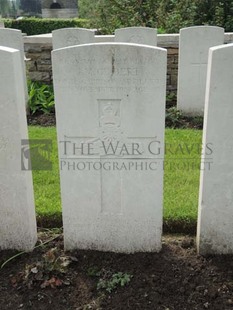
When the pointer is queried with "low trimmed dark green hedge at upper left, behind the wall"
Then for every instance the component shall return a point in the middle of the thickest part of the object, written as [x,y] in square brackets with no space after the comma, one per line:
[34,26]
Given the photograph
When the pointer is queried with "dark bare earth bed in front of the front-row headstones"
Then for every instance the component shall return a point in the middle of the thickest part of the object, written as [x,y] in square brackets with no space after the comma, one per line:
[176,278]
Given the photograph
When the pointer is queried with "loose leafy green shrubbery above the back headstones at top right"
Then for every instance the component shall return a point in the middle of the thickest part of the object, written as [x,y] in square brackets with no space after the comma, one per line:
[167,15]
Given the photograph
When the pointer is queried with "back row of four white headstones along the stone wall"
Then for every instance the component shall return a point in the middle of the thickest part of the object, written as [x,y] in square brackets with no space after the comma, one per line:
[193,55]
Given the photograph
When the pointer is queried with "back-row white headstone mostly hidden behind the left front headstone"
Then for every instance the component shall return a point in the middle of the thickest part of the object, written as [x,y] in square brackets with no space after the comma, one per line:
[13,38]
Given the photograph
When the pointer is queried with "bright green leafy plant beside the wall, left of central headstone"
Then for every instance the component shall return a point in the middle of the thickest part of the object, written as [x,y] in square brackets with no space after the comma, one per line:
[41,98]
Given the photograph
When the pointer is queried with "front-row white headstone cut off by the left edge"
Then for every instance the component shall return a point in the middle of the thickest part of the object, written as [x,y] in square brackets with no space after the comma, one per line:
[17,212]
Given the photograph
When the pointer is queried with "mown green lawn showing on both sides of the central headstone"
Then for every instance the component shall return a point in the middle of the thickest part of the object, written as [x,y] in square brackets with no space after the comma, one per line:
[181,179]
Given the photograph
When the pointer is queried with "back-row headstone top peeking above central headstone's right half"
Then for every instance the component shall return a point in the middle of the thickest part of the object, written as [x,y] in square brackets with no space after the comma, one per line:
[138,35]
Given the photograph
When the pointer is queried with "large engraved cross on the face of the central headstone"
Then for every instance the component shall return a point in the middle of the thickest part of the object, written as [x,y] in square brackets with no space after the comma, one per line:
[110,132]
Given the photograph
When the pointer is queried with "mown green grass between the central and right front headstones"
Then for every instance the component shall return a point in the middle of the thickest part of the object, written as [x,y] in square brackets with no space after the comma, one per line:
[182,173]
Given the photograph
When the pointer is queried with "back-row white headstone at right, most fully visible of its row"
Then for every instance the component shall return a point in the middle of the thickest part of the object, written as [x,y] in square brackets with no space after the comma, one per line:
[193,56]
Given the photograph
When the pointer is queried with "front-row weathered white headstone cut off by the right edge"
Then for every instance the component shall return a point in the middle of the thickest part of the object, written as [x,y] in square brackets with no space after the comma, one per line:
[215,229]
